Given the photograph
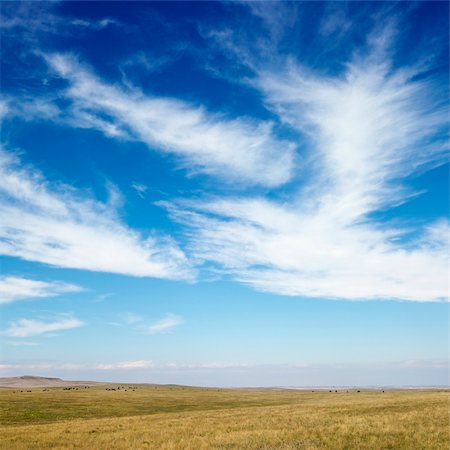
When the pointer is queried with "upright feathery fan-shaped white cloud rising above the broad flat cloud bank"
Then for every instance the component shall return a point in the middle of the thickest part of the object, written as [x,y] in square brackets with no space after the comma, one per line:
[369,129]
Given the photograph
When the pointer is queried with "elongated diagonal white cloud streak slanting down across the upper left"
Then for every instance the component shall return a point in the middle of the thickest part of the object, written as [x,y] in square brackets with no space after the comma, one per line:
[235,149]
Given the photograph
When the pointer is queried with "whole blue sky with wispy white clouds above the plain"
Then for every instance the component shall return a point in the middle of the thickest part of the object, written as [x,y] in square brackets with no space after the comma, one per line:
[225,193]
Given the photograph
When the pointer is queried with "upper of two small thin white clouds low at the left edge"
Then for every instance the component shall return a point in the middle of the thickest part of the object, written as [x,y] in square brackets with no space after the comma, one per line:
[16,288]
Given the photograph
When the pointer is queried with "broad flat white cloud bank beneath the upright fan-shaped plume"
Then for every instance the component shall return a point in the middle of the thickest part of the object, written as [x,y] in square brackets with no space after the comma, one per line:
[276,249]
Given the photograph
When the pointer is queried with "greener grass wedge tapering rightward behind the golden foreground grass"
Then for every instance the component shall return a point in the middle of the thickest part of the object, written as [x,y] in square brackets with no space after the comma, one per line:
[56,404]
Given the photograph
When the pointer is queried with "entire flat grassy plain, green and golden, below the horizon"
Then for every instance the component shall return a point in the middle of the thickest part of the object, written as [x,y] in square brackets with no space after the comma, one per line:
[175,417]
